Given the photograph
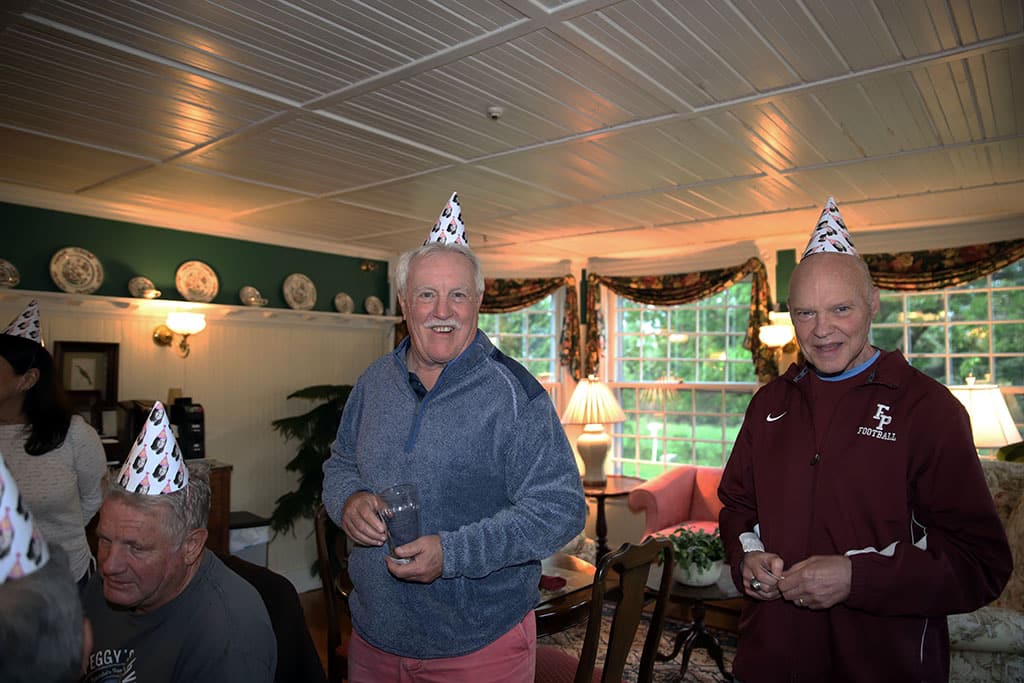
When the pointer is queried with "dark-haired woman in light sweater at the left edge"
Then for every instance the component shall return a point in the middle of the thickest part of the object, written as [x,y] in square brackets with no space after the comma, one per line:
[56,457]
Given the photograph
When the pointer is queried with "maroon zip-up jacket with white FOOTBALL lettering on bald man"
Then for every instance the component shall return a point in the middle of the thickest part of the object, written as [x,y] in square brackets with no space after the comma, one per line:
[898,487]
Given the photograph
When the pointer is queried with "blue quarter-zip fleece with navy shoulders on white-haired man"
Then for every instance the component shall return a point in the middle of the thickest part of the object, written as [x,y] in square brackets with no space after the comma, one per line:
[498,483]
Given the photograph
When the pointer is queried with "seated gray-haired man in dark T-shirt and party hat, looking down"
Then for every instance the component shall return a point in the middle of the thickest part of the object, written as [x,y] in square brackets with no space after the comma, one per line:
[163,608]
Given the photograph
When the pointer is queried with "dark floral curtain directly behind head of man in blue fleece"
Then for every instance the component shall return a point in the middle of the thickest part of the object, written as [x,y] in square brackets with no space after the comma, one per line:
[508,295]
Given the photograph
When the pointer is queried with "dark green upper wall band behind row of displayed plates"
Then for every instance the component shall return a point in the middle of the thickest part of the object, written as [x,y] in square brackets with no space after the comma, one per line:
[31,237]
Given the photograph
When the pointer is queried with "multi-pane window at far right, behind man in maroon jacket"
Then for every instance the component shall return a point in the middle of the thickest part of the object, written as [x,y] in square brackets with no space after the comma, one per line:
[975,329]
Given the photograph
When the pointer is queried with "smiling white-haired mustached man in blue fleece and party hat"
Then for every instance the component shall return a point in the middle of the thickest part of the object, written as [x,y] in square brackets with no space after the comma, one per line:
[499,487]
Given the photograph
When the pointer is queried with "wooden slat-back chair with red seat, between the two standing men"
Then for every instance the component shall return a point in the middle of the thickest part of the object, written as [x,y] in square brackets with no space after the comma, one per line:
[626,590]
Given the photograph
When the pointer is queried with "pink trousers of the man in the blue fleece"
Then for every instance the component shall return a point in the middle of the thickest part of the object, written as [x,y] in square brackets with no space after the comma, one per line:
[511,659]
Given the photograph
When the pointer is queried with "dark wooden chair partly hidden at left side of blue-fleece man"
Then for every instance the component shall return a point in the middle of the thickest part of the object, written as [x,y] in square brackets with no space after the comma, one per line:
[332,561]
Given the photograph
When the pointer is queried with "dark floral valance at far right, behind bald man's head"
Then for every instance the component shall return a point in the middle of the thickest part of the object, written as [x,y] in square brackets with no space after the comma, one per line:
[938,269]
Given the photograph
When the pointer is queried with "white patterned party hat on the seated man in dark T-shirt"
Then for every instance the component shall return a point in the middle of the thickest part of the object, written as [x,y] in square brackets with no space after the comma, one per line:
[155,465]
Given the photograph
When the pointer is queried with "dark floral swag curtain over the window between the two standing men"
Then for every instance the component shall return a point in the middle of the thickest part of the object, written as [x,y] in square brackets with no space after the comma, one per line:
[678,289]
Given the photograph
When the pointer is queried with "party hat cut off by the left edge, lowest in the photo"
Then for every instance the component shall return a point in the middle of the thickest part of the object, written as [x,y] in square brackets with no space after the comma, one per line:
[23,550]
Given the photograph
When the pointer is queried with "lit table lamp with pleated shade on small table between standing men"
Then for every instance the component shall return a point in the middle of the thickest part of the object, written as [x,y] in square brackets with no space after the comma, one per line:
[593,406]
